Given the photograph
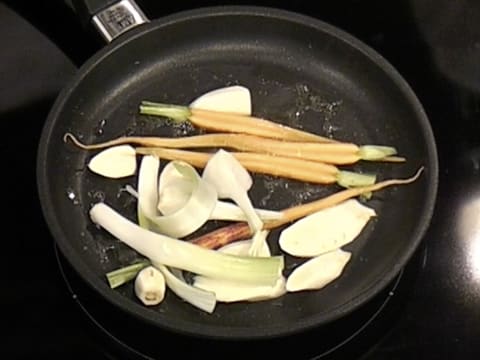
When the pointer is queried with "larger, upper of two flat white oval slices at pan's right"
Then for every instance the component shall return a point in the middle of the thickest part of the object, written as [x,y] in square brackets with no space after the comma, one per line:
[326,230]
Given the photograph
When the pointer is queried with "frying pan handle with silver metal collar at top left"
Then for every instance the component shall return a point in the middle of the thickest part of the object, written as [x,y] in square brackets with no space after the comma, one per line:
[111,18]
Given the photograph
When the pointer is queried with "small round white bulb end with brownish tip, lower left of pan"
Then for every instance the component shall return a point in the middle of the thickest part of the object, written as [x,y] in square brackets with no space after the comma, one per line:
[150,286]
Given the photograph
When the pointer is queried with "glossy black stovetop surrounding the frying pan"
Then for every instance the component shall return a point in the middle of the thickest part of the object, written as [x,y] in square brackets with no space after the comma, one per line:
[431,310]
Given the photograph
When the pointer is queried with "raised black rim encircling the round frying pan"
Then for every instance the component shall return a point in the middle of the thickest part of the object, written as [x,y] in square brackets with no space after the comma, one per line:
[226,332]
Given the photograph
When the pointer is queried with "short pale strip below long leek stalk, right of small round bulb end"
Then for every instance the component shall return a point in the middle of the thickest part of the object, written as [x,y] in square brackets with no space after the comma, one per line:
[202,299]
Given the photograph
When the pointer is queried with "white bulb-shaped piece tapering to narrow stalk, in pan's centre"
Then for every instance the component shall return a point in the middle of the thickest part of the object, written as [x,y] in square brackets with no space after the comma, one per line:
[232,181]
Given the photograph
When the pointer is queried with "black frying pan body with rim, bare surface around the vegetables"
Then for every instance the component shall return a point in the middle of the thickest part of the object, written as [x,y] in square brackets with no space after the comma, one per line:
[301,72]
